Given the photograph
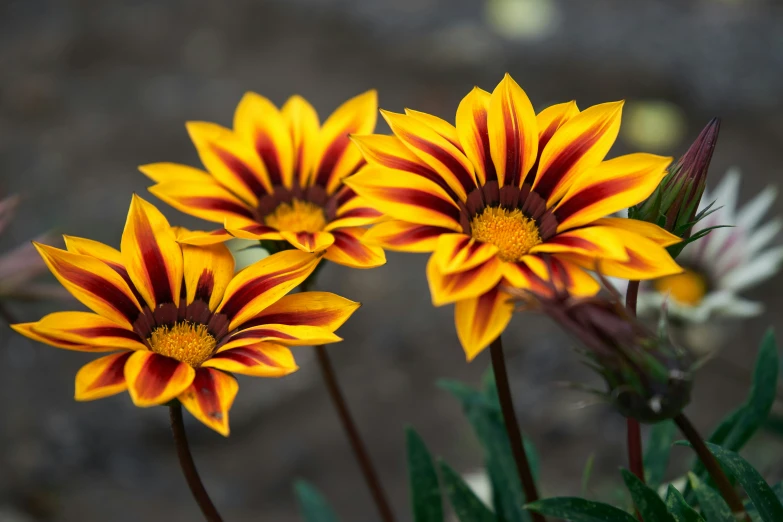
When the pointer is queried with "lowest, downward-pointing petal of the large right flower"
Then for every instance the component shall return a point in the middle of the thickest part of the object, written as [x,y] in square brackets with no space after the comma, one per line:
[480,320]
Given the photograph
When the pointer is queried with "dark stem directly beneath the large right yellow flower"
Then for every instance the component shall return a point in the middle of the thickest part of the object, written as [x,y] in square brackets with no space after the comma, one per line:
[512,426]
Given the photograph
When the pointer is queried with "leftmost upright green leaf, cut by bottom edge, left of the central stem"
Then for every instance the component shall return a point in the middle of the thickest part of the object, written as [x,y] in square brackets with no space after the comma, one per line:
[424,487]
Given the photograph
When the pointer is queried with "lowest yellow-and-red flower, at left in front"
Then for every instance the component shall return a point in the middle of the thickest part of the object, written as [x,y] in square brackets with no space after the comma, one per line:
[179,318]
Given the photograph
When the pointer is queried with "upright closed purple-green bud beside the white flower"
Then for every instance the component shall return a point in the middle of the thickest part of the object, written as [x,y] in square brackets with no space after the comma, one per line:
[675,203]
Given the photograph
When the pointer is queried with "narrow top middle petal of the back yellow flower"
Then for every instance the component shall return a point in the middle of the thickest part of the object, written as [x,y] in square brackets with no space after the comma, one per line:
[304,125]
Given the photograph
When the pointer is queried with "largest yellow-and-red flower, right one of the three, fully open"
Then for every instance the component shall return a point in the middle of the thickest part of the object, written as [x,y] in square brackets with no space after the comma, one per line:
[505,189]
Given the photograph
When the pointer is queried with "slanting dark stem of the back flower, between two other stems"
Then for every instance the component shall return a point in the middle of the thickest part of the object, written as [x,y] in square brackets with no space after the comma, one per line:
[354,438]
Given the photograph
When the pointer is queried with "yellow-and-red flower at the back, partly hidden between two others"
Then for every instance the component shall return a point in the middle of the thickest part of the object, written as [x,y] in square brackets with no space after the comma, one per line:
[278,176]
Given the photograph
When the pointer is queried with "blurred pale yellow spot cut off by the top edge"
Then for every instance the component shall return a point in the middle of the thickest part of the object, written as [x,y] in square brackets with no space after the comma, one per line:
[522,19]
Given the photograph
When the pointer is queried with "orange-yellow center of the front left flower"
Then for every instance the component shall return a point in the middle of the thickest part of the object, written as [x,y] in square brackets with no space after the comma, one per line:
[185,341]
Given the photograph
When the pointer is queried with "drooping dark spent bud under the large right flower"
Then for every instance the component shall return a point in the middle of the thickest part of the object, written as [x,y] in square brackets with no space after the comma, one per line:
[647,377]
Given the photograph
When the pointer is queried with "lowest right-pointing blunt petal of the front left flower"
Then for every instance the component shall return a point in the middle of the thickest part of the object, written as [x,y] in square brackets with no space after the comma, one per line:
[258,360]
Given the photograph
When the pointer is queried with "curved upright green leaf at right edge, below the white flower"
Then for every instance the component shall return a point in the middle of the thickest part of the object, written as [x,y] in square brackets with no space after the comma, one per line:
[740,425]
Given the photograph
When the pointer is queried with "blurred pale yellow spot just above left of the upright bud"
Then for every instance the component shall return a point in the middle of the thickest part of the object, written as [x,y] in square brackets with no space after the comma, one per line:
[653,124]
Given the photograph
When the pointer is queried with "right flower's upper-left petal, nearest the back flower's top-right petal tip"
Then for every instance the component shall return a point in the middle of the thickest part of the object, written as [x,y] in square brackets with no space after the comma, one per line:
[436,151]
